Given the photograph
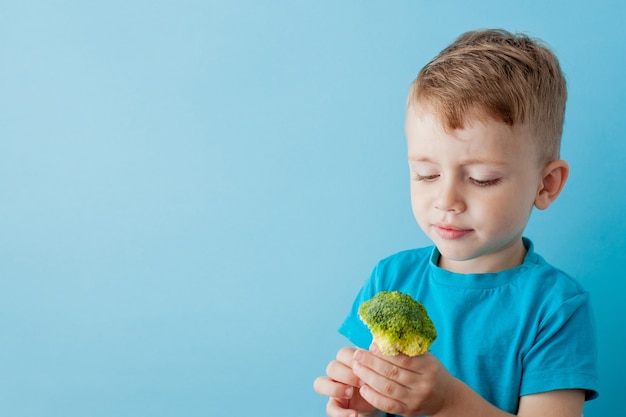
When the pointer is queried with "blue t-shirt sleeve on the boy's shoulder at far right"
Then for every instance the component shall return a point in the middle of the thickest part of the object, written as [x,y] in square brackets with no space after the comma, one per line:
[564,354]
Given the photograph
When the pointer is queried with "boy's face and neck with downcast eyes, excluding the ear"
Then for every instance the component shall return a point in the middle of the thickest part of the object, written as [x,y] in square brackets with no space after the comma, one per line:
[472,190]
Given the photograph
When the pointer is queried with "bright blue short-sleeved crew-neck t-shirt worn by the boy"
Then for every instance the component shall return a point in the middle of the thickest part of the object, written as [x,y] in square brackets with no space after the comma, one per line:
[525,330]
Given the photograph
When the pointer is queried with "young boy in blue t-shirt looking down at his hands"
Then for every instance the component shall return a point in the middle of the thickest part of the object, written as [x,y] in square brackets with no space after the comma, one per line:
[515,335]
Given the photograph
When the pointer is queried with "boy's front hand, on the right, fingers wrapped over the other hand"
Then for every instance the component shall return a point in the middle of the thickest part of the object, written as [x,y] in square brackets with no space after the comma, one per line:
[401,384]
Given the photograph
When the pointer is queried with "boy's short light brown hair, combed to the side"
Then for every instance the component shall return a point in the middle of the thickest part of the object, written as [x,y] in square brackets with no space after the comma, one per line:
[508,77]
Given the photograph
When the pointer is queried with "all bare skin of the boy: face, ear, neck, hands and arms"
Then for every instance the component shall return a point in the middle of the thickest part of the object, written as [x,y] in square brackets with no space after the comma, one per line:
[472,192]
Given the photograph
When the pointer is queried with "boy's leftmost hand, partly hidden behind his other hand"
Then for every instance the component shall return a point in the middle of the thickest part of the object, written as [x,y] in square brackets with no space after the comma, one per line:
[341,386]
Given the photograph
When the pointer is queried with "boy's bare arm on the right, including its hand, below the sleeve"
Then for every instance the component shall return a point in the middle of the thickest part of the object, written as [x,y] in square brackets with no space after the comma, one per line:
[422,386]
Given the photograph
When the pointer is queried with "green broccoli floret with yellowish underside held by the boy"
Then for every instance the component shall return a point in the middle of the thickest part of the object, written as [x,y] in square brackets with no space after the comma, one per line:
[398,323]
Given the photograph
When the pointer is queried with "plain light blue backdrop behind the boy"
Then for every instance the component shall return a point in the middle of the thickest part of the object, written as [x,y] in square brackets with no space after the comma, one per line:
[192,192]
